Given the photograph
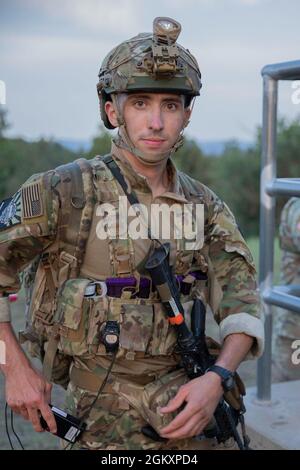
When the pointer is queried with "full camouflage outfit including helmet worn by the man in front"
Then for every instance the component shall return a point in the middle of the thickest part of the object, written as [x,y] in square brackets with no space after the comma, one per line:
[67,325]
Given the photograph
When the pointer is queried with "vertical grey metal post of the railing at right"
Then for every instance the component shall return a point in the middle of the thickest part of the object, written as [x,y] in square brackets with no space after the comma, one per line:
[267,227]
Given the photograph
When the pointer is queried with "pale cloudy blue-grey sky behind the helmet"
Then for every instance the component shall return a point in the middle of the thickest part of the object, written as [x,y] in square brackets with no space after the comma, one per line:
[51,51]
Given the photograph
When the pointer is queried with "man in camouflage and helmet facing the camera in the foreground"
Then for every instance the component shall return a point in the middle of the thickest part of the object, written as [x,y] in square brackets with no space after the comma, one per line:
[99,327]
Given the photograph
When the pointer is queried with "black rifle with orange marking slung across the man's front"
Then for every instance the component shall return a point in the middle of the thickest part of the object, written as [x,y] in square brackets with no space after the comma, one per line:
[191,346]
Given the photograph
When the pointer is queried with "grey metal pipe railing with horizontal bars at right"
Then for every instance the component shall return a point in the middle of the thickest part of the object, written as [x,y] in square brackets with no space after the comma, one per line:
[270,186]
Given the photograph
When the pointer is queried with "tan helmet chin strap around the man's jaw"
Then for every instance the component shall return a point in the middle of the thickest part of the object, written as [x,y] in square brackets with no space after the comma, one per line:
[123,140]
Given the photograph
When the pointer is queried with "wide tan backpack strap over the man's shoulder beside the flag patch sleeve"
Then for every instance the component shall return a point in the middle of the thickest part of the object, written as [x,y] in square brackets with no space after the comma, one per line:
[77,193]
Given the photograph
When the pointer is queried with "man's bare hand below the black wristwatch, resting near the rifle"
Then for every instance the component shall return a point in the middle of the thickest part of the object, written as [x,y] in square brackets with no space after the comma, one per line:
[201,396]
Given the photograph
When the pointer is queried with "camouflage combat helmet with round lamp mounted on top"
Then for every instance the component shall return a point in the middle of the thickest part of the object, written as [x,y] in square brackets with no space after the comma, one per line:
[150,62]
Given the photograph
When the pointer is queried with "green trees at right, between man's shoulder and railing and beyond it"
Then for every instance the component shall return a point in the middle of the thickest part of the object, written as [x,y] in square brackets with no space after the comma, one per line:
[236,174]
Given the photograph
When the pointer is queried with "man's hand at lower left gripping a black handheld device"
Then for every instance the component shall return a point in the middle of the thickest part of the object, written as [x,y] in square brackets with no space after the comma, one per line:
[29,394]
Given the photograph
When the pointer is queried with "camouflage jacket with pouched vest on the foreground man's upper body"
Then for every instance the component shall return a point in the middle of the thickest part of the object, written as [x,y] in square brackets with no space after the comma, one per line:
[39,220]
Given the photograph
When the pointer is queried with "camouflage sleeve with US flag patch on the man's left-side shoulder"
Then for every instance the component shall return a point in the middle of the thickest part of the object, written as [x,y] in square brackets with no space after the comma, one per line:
[28,224]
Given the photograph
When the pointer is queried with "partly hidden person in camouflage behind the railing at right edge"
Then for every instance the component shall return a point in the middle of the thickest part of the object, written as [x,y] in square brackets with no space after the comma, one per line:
[287,323]
